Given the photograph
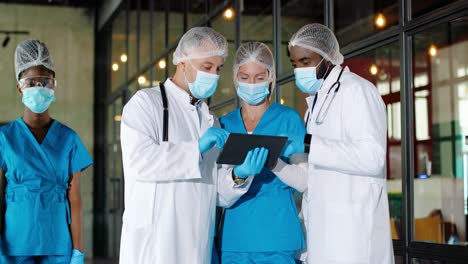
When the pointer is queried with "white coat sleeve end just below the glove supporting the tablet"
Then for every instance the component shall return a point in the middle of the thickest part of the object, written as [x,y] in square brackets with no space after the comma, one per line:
[228,191]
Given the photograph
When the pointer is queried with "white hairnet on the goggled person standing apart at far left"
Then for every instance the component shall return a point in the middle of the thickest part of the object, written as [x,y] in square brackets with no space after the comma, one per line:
[30,53]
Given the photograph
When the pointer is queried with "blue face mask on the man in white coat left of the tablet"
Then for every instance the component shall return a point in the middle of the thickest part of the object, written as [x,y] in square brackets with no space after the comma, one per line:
[204,85]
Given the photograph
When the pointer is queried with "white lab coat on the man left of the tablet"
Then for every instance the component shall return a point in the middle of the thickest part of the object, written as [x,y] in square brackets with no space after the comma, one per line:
[171,191]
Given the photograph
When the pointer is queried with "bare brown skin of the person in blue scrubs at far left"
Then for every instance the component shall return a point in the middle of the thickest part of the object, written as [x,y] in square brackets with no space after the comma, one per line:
[39,125]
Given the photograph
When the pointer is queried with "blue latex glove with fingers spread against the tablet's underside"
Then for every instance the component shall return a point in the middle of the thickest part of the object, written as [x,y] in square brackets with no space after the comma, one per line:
[253,163]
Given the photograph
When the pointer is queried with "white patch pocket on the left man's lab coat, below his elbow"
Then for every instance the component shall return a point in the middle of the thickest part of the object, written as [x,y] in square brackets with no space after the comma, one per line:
[139,212]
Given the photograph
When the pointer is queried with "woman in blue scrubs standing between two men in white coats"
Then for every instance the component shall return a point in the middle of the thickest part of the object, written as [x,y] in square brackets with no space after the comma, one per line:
[263,226]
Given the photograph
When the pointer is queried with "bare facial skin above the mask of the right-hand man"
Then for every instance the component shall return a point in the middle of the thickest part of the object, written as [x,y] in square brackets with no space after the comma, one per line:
[302,57]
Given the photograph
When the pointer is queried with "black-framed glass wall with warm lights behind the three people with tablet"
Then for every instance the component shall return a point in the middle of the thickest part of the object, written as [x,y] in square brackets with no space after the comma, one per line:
[416,57]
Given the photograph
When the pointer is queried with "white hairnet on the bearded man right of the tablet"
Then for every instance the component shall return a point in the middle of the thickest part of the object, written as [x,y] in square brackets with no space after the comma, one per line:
[319,39]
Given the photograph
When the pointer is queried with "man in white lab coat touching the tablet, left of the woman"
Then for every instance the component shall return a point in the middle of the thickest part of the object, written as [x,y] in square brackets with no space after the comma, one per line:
[172,182]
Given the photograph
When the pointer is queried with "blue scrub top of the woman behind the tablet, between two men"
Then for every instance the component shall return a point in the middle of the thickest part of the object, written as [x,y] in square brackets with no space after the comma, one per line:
[265,218]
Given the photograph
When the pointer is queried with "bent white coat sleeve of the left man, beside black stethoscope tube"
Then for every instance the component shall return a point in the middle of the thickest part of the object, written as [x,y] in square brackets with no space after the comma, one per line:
[144,154]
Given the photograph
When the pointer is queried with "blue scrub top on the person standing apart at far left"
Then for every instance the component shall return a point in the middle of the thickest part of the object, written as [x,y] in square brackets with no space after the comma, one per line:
[37,214]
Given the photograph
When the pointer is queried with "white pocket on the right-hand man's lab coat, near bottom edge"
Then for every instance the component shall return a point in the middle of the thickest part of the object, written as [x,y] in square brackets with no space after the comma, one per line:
[347,232]
